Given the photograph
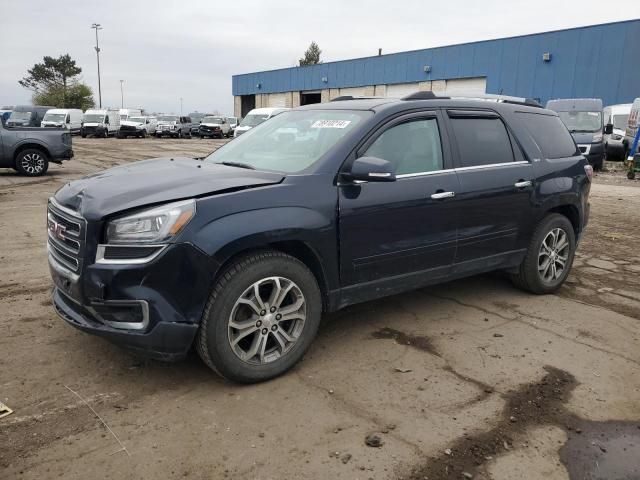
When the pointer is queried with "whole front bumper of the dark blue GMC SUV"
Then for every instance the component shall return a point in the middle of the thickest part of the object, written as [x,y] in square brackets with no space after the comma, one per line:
[168,294]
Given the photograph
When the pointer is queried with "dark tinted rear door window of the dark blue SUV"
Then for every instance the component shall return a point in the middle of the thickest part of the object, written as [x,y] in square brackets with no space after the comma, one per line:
[482,141]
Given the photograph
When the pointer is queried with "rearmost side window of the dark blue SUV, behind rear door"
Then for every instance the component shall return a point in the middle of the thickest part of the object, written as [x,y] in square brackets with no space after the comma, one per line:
[550,134]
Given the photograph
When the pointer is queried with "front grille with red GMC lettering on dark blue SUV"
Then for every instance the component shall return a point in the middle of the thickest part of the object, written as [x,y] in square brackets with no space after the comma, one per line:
[66,236]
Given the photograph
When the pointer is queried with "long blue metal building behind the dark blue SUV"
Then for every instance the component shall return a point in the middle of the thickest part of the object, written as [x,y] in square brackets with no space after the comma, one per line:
[599,61]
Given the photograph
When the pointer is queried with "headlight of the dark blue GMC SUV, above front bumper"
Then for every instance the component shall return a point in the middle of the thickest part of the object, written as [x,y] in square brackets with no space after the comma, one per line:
[153,225]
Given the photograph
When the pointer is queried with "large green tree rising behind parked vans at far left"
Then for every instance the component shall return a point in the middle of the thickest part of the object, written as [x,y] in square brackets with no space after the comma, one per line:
[55,82]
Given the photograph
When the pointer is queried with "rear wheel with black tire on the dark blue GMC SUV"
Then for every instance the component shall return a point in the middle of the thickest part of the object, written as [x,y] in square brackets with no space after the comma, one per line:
[530,277]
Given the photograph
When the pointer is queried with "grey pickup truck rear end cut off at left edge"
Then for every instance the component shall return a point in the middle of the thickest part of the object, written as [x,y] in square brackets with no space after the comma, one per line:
[29,150]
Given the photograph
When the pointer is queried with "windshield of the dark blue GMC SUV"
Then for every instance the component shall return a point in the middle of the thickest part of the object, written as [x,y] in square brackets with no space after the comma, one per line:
[289,142]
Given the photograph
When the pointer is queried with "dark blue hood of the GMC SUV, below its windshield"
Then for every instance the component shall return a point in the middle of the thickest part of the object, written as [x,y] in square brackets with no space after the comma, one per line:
[155,181]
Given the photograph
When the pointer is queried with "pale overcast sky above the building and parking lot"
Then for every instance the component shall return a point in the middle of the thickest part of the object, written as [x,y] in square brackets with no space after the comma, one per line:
[166,50]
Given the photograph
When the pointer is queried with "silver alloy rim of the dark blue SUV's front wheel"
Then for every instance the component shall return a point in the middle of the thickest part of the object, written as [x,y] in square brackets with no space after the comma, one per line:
[267,320]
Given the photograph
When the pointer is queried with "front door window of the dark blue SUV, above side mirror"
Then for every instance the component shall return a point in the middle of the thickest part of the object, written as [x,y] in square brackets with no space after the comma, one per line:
[411,147]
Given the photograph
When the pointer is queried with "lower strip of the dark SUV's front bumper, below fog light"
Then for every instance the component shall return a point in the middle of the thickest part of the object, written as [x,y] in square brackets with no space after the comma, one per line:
[165,341]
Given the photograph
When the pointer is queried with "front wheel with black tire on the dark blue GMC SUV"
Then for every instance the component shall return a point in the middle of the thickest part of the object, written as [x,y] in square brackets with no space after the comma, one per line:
[214,338]
